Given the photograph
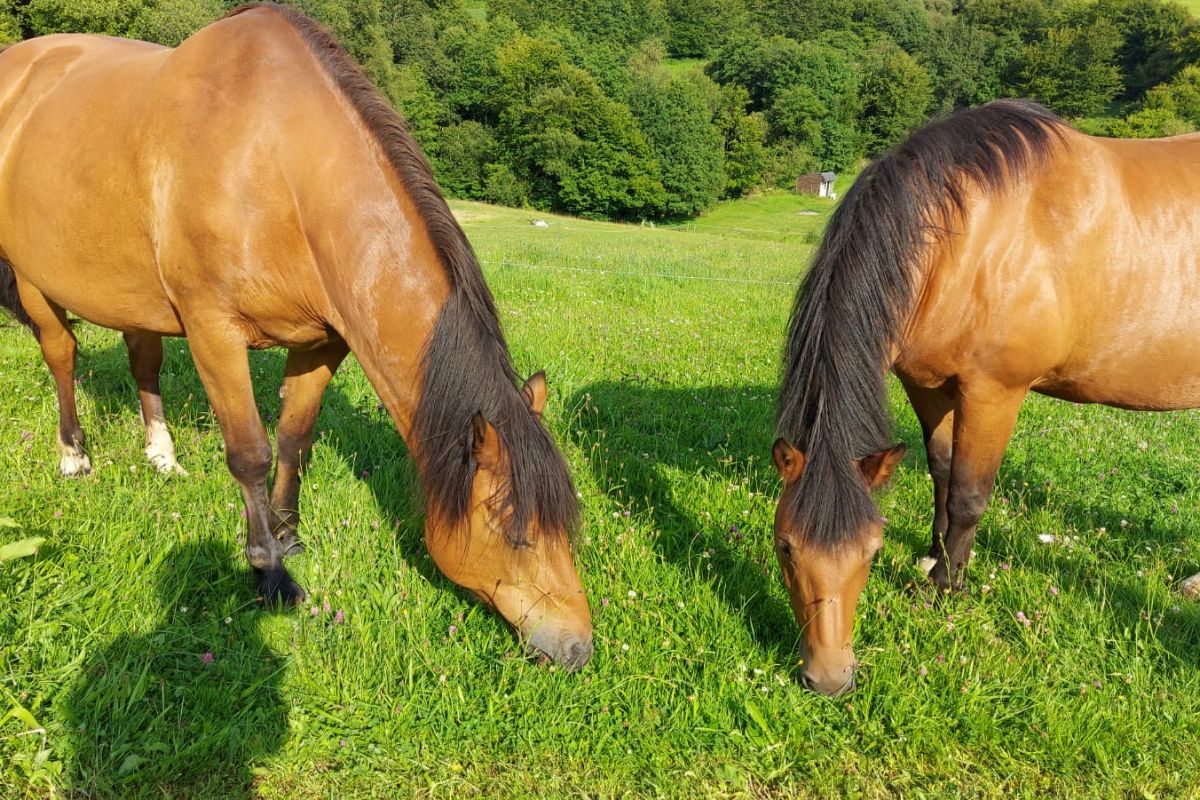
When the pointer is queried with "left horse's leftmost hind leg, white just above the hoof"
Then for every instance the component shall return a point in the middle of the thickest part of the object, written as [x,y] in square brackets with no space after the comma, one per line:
[59,352]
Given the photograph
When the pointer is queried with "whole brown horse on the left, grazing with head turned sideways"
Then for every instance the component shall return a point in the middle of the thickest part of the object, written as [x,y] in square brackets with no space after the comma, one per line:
[251,189]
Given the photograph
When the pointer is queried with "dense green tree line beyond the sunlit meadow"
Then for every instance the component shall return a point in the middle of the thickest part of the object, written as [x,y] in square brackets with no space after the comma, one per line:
[659,109]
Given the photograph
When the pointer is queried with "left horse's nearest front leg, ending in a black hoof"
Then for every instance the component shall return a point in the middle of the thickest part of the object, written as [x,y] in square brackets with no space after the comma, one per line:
[221,360]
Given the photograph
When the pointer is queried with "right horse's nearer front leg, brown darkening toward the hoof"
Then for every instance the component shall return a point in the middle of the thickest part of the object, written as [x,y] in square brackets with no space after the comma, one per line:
[985,418]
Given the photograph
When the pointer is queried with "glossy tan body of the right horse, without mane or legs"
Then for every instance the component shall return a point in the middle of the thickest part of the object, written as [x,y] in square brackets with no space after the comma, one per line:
[1081,281]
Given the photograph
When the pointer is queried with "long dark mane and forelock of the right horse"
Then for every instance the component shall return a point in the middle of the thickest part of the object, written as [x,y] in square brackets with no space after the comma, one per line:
[861,290]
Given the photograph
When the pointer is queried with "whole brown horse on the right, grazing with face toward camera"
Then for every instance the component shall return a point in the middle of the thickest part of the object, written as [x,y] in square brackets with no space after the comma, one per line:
[994,254]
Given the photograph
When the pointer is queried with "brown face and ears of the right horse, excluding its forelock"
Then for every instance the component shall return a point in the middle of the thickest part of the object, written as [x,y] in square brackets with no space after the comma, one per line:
[826,581]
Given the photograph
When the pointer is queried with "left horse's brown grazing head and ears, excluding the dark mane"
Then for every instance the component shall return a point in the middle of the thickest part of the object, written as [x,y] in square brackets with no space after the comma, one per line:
[529,579]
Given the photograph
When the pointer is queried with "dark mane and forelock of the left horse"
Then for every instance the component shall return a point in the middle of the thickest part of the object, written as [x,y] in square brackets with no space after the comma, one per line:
[466,363]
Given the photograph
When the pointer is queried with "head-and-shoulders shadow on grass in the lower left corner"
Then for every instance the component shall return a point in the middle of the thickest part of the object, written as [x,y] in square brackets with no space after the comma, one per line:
[151,715]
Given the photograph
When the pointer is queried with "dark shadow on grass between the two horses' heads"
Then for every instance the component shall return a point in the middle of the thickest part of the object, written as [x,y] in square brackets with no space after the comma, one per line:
[649,446]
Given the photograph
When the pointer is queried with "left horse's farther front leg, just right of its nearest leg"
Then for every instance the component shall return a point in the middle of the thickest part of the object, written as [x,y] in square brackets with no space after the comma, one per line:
[307,375]
